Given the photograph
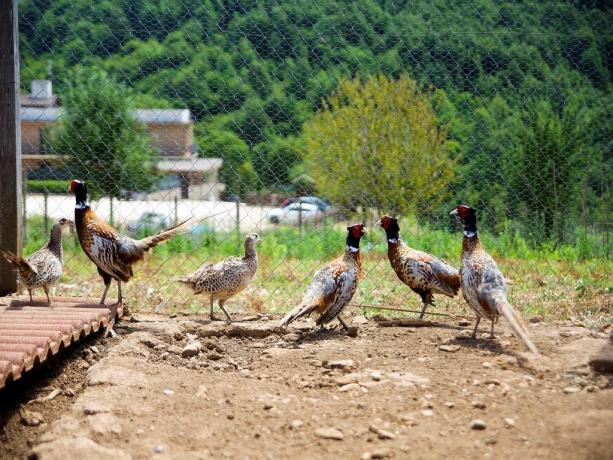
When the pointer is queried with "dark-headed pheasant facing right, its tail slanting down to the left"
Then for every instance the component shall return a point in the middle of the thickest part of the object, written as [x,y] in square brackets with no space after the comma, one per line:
[332,286]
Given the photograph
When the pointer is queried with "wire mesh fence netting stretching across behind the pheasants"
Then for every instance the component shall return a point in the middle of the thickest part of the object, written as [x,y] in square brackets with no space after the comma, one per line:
[294,118]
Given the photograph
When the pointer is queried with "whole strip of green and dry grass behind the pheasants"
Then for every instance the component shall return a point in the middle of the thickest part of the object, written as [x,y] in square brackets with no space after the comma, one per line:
[553,283]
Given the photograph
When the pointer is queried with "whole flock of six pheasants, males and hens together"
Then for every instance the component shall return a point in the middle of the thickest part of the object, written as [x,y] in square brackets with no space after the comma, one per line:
[330,291]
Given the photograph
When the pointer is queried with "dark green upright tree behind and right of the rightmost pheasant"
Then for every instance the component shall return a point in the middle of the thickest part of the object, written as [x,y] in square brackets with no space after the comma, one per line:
[547,168]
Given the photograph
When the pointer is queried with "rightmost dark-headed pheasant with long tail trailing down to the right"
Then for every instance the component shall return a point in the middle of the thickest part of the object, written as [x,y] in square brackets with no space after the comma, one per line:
[483,285]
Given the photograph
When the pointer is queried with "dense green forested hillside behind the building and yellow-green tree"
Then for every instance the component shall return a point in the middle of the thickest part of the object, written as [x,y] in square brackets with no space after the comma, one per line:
[523,89]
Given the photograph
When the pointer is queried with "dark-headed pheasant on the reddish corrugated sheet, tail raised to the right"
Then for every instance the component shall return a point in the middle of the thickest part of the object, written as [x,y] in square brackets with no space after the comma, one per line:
[112,252]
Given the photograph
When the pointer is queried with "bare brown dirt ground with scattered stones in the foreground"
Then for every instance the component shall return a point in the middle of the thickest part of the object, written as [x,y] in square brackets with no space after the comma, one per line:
[253,391]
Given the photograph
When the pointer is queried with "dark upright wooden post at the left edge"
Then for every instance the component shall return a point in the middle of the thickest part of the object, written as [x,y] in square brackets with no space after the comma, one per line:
[10,143]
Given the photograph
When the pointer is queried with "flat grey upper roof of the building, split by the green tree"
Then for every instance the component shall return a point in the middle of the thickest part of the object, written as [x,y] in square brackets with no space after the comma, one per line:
[146,116]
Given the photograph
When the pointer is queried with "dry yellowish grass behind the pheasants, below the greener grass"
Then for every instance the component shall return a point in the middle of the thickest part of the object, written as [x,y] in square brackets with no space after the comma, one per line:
[551,290]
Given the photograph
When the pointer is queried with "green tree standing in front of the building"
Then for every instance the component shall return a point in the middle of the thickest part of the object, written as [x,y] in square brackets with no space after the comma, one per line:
[109,147]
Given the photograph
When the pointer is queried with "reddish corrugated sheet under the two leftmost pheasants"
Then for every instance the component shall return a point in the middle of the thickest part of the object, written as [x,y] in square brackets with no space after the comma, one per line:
[30,332]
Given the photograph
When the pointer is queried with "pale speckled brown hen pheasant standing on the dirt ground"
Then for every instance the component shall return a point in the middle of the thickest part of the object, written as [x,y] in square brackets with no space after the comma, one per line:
[224,279]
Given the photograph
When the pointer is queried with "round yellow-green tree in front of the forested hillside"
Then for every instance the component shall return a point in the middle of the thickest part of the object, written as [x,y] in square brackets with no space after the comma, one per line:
[377,143]
